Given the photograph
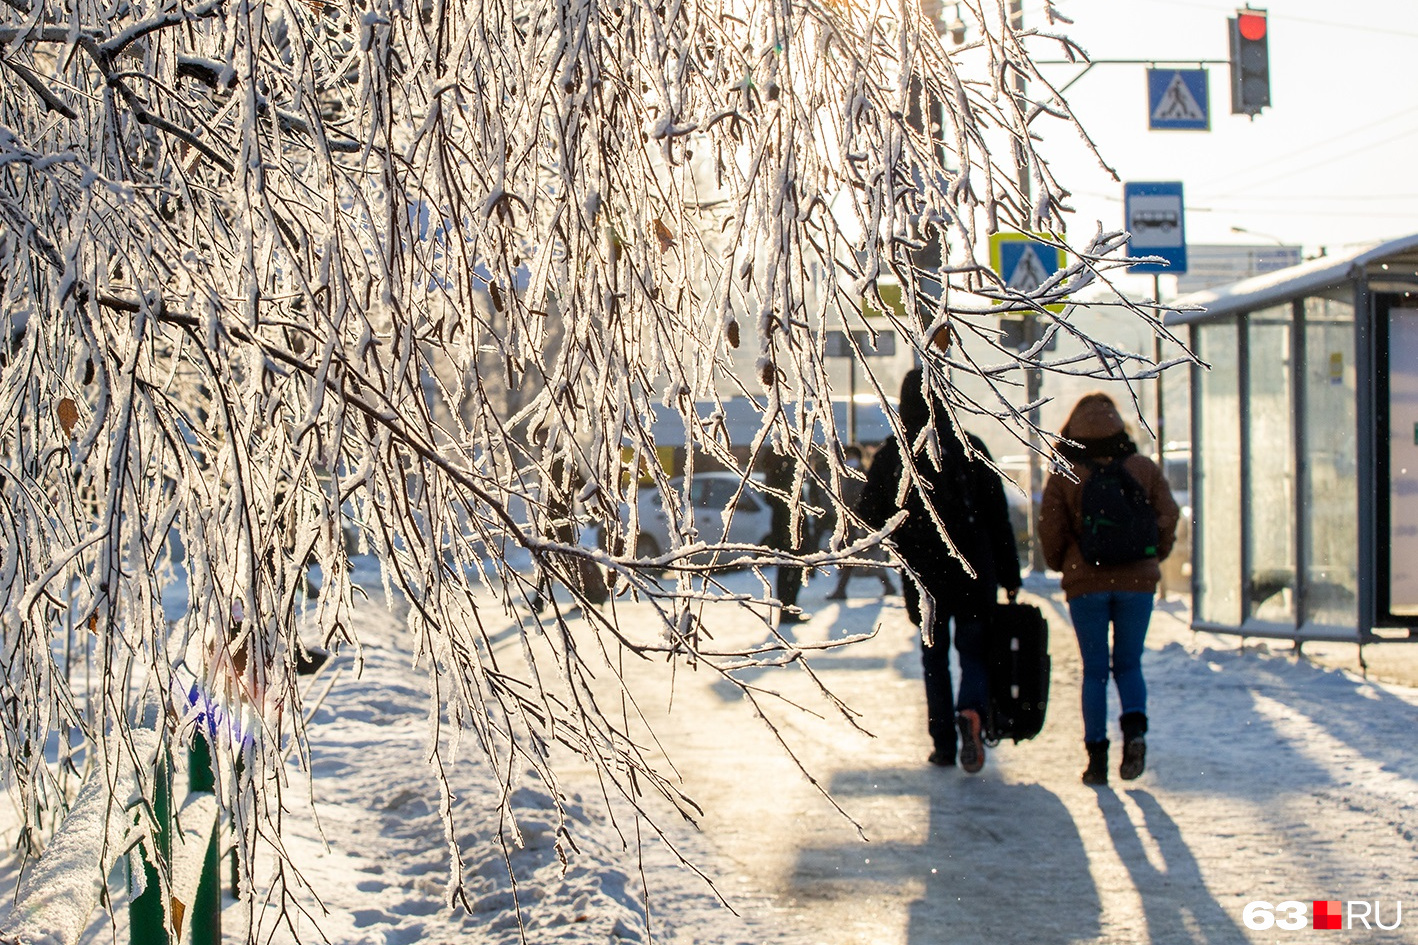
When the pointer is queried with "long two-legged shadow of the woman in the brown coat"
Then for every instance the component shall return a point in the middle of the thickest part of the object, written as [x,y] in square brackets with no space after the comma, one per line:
[1176,902]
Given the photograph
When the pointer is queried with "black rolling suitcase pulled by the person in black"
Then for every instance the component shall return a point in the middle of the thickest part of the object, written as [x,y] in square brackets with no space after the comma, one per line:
[1019,669]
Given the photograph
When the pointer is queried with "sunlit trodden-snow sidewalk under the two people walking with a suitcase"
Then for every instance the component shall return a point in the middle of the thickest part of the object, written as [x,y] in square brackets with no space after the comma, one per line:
[1268,780]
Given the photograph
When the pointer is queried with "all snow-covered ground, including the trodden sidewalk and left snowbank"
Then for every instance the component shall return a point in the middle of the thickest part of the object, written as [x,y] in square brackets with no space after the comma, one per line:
[1270,778]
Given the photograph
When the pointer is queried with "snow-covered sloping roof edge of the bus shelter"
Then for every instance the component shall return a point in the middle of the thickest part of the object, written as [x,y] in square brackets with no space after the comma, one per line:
[1297,282]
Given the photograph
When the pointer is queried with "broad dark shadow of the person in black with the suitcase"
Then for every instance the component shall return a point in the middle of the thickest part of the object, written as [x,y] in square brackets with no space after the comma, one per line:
[1002,863]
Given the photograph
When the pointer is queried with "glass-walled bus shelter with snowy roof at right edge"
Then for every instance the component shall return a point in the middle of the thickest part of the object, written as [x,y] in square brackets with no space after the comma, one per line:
[1305,449]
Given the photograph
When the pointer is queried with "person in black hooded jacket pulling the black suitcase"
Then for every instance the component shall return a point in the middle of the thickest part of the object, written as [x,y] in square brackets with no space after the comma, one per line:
[969,499]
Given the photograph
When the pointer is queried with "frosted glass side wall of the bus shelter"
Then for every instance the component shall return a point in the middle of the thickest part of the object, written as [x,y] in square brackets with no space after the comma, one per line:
[1278,506]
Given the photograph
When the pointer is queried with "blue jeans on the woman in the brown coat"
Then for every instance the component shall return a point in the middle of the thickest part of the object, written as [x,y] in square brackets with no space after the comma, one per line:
[1128,612]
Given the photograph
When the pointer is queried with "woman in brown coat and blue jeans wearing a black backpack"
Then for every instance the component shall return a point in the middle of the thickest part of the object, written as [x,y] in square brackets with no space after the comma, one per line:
[1110,578]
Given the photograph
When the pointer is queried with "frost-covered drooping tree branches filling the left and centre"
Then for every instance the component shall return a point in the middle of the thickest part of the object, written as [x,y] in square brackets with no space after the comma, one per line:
[289,282]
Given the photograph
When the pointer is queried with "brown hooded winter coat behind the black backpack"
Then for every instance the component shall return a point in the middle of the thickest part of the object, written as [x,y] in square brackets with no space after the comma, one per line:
[1061,517]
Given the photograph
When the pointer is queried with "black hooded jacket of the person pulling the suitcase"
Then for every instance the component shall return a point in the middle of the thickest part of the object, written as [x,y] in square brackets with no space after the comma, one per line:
[969,499]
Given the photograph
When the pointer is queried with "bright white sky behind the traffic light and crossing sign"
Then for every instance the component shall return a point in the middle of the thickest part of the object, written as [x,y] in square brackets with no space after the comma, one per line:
[1328,165]
